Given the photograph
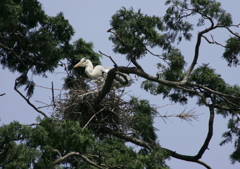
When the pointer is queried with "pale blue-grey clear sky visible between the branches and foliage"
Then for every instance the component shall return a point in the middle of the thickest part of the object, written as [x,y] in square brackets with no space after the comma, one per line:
[90,20]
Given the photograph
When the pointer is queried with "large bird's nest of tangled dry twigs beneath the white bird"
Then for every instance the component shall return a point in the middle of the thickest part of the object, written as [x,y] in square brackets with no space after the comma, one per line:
[78,105]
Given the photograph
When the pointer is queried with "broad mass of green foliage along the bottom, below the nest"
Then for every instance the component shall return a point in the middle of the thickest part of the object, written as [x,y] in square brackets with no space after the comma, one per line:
[40,145]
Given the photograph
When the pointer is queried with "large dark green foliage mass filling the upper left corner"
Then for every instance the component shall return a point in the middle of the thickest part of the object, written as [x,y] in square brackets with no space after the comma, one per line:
[31,41]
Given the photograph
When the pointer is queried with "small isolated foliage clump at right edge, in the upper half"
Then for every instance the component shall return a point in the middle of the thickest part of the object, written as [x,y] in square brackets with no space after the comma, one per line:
[232,51]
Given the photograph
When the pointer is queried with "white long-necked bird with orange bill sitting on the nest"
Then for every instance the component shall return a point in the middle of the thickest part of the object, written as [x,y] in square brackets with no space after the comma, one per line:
[100,72]
